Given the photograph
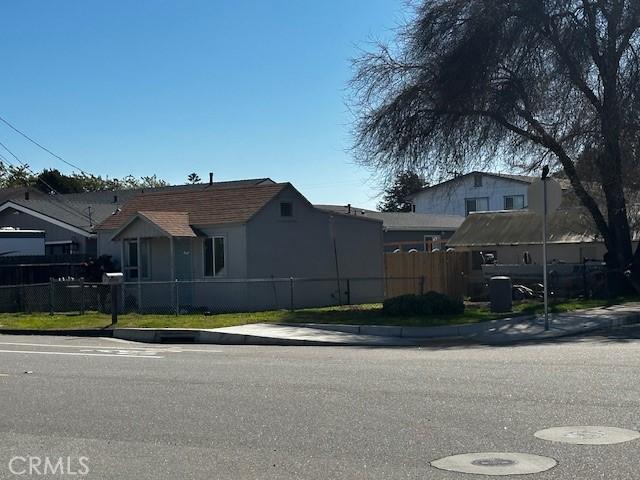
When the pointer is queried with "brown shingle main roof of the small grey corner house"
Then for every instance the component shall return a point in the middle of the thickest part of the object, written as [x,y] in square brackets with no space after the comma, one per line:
[207,206]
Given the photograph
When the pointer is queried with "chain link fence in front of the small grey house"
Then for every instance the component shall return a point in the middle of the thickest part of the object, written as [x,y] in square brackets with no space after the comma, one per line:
[204,297]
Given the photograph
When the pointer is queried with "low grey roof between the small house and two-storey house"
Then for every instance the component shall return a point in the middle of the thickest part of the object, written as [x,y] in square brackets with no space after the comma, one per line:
[396,221]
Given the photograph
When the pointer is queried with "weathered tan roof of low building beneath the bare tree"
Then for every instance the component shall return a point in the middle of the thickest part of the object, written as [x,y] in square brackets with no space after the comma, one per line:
[523,227]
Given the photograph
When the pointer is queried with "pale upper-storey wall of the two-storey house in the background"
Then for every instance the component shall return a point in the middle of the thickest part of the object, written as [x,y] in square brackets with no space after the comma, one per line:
[449,198]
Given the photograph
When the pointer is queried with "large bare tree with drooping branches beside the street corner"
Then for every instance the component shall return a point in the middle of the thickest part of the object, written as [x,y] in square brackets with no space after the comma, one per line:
[517,82]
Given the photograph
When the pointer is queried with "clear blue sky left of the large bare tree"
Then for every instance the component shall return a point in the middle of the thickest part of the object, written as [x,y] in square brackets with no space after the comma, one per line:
[240,88]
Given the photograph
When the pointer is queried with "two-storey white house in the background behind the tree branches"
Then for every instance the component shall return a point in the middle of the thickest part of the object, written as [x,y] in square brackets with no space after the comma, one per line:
[473,192]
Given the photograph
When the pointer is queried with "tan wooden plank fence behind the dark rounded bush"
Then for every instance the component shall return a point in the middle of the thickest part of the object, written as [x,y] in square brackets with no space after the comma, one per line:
[420,272]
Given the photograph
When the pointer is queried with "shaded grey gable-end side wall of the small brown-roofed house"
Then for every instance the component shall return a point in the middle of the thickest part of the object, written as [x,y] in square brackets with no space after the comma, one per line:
[302,247]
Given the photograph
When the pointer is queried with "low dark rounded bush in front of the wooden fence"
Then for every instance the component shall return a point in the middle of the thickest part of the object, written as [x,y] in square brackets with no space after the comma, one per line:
[431,303]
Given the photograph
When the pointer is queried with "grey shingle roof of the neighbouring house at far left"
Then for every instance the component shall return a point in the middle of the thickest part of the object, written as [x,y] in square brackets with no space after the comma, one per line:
[84,211]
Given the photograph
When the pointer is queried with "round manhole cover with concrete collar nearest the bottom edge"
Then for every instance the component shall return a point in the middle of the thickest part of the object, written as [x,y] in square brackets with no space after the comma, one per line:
[495,463]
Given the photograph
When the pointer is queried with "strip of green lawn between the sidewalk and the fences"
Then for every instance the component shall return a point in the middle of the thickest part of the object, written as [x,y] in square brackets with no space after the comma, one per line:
[355,315]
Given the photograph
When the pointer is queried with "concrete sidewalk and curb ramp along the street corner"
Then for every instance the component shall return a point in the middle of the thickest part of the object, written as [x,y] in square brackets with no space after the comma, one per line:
[497,332]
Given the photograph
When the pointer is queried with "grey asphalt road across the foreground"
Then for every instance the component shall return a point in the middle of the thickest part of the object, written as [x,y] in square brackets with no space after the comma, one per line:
[137,411]
